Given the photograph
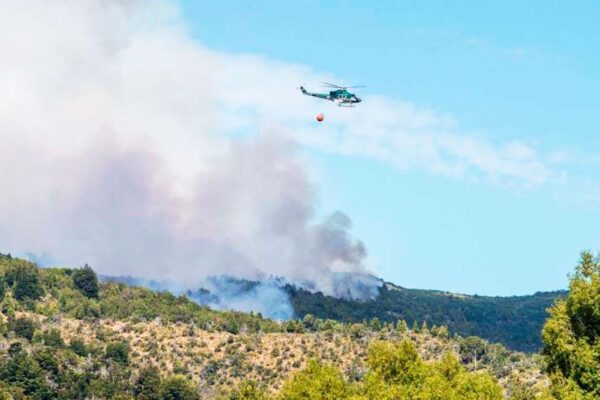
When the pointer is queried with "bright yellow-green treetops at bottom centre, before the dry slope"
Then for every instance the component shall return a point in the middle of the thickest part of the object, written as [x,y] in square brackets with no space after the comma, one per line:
[396,371]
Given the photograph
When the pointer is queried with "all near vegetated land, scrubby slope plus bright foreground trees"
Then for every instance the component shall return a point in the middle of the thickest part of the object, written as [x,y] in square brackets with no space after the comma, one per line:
[65,335]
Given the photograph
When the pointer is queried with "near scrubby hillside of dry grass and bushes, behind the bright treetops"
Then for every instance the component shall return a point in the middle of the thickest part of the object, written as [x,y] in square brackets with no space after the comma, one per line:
[63,335]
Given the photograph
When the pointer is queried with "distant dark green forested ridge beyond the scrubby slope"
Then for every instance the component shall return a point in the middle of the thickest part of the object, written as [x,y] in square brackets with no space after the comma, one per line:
[513,321]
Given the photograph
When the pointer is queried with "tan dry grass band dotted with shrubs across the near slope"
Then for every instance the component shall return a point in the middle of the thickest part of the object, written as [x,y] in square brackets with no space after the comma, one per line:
[220,359]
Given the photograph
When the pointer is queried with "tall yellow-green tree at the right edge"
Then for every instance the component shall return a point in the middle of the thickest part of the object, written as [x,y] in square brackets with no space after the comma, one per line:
[572,335]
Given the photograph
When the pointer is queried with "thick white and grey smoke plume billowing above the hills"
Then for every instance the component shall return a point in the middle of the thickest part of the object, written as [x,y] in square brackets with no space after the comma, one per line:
[117,149]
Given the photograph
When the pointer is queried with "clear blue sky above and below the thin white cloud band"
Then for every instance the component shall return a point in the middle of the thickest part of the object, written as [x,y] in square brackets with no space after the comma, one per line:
[510,71]
